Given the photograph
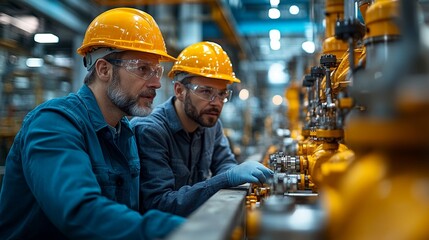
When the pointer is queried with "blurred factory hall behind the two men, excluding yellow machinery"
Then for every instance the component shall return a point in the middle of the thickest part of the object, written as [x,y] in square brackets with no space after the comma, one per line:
[270,44]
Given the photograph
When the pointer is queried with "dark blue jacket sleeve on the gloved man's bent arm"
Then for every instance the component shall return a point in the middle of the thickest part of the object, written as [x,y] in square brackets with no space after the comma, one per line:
[158,188]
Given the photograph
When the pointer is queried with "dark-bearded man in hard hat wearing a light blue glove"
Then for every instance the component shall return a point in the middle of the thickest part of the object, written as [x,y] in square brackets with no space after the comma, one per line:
[185,156]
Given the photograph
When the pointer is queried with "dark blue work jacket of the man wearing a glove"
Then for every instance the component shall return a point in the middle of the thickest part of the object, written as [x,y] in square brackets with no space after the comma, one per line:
[180,171]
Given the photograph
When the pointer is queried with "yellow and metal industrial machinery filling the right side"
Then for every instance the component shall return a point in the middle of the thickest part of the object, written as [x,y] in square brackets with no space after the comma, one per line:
[358,169]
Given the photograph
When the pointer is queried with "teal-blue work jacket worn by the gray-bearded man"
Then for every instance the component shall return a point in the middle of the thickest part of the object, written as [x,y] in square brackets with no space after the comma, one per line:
[67,178]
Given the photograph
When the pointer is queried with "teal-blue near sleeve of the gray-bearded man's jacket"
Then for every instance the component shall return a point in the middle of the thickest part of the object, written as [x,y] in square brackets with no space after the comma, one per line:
[58,171]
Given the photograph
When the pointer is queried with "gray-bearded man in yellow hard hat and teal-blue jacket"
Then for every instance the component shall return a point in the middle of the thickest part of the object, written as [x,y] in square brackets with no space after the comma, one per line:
[73,171]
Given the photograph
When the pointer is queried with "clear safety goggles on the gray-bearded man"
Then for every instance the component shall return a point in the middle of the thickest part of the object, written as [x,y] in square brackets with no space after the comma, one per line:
[139,68]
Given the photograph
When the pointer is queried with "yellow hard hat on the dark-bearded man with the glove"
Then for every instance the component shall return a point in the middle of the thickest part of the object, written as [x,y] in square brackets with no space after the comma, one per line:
[205,59]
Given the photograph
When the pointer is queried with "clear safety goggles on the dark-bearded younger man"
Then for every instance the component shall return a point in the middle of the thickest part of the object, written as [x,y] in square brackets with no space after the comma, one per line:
[209,93]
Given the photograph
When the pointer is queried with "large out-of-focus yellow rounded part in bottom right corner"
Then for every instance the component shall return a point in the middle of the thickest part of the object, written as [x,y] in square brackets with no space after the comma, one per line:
[386,194]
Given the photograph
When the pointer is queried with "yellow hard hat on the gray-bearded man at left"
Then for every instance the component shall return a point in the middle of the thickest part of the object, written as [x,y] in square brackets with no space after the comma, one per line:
[123,29]
